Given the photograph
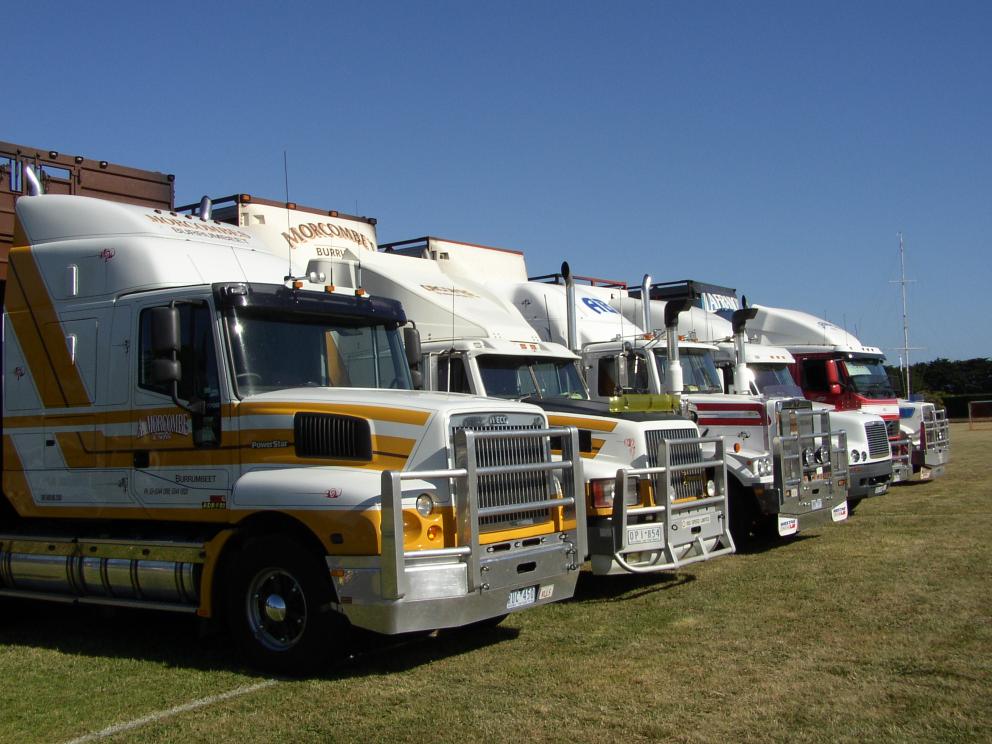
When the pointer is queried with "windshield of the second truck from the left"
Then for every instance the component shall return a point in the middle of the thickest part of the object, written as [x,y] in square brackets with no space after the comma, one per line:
[520,377]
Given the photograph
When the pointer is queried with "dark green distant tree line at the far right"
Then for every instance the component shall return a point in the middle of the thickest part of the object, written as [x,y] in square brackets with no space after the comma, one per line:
[950,383]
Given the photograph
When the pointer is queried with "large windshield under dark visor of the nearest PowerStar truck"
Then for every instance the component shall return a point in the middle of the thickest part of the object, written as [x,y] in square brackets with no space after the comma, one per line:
[273,351]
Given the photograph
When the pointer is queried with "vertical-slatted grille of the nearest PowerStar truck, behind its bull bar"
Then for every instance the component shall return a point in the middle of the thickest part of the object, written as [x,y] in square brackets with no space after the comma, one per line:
[506,489]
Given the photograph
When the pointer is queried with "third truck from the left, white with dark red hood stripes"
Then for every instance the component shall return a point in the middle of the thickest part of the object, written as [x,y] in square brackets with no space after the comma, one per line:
[784,469]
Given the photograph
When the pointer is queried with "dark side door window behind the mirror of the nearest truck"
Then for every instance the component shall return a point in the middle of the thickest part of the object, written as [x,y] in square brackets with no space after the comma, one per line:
[196,354]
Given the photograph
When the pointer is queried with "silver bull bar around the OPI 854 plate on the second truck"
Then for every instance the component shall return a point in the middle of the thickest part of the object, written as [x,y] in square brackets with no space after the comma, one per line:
[674,552]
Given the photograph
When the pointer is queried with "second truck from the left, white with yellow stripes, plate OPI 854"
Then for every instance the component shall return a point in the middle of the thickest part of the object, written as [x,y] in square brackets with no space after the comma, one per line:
[474,341]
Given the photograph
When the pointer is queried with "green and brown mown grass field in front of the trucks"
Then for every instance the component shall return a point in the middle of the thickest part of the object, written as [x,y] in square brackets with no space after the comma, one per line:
[879,629]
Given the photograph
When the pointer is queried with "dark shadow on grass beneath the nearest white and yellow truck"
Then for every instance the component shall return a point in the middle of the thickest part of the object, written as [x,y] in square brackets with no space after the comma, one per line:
[185,642]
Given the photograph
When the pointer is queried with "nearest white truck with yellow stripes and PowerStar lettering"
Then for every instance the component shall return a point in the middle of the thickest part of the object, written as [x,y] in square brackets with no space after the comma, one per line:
[196,420]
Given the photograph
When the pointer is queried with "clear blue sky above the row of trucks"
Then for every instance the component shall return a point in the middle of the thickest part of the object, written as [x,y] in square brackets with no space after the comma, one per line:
[776,147]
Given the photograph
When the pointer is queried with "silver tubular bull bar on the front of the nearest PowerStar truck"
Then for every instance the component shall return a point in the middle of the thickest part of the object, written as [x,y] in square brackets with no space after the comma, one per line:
[468,513]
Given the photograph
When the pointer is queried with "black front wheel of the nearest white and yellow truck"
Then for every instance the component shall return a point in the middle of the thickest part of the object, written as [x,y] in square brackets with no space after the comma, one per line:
[279,607]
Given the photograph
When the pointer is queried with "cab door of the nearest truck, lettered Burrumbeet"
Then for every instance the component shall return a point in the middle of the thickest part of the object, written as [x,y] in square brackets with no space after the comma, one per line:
[178,458]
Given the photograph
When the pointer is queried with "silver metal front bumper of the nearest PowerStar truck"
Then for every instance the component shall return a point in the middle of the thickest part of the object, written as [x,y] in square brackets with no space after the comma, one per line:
[437,593]
